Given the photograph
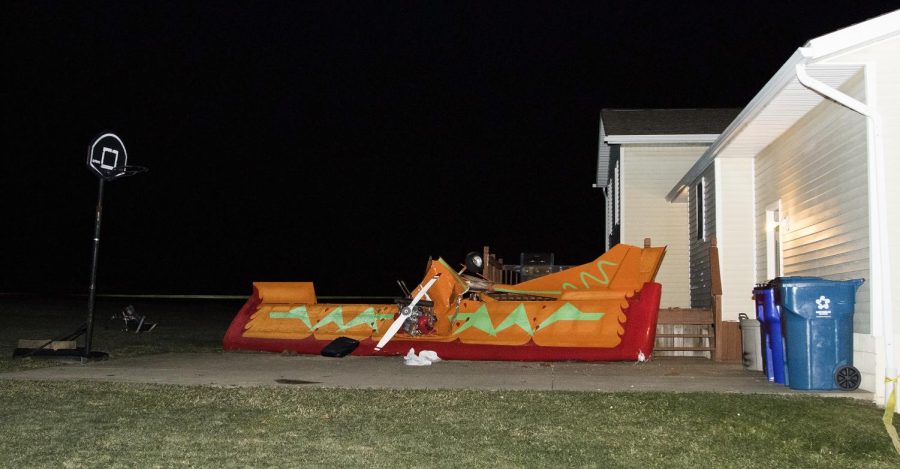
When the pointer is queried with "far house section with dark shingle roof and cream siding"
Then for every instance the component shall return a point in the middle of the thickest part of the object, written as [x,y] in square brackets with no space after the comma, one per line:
[643,152]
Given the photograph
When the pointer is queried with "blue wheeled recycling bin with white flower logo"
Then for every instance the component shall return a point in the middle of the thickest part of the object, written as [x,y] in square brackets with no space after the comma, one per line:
[818,326]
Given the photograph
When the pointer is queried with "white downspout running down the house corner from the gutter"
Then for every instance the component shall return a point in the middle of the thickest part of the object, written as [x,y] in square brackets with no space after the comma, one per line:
[878,236]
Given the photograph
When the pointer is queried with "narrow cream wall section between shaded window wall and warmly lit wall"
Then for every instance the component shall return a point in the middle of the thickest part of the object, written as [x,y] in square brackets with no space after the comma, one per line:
[735,234]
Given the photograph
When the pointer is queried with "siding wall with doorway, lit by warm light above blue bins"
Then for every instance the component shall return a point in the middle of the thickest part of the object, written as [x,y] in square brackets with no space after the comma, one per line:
[818,170]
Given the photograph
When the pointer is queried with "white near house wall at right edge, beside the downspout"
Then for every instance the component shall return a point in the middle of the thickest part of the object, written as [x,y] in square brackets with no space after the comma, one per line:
[886,77]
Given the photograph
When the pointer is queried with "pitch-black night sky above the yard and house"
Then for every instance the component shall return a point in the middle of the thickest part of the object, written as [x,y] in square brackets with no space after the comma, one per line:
[344,142]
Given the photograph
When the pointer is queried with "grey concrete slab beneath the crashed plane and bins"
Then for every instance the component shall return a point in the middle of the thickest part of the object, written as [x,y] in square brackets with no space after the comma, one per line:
[263,369]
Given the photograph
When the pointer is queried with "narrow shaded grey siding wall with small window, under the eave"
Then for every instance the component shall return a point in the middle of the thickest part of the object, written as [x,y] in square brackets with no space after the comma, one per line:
[701,296]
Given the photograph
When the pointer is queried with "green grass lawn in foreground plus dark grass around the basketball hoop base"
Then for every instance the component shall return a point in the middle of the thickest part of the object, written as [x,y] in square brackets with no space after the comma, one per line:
[89,424]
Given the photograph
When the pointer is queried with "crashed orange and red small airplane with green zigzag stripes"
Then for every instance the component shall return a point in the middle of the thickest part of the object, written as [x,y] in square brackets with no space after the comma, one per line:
[605,310]
